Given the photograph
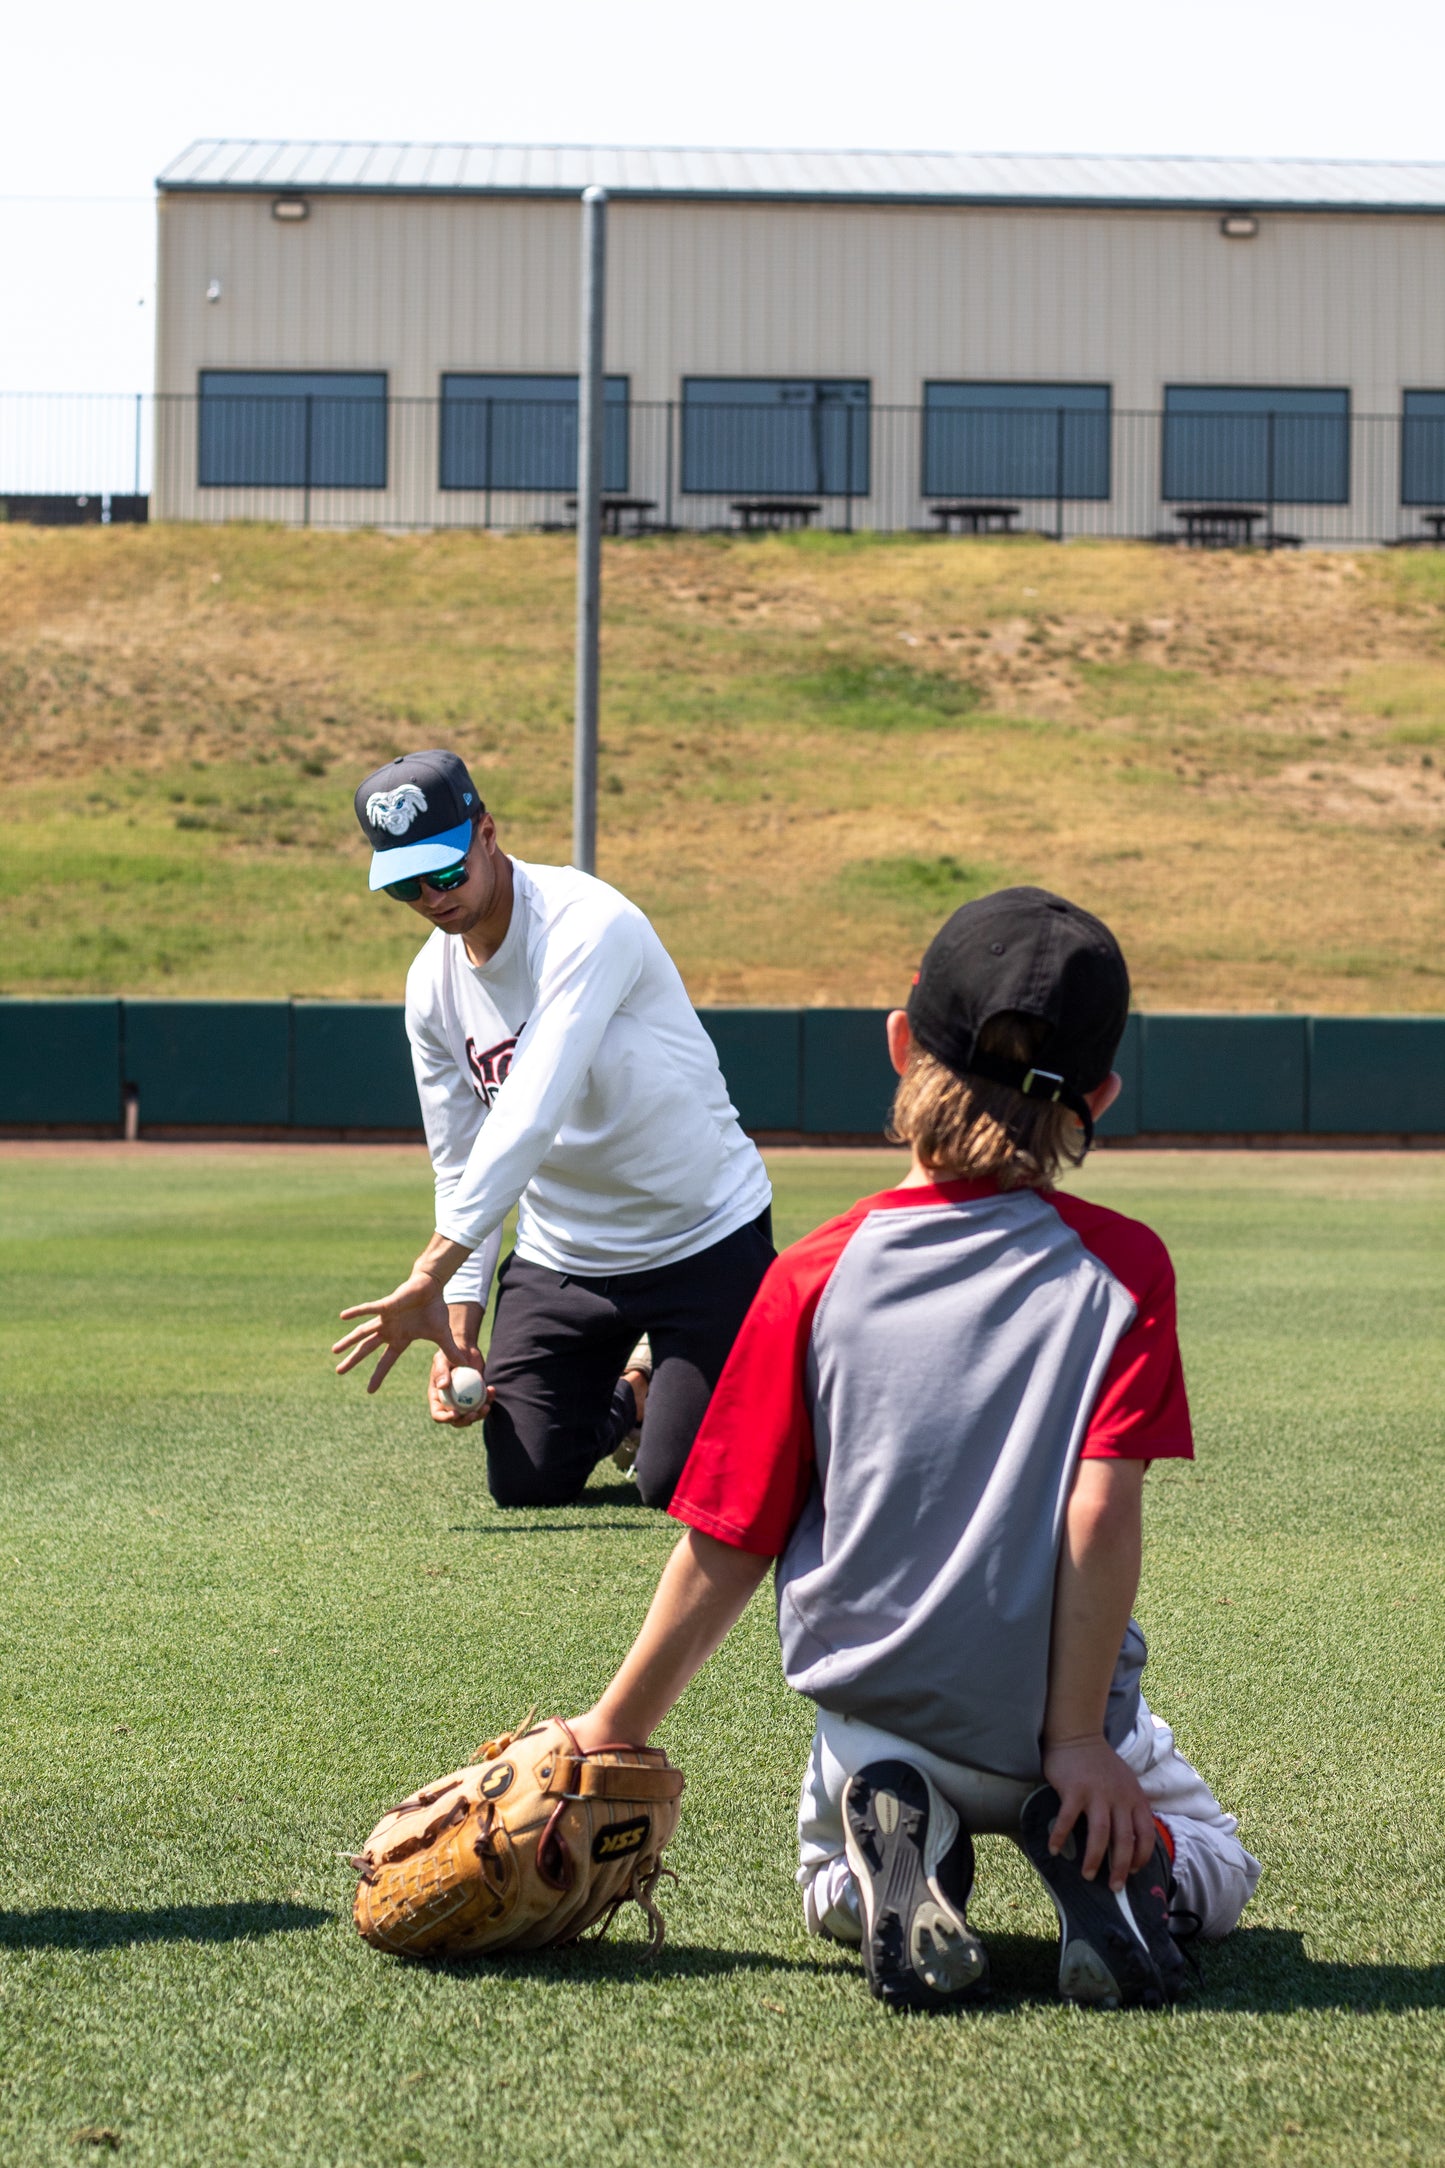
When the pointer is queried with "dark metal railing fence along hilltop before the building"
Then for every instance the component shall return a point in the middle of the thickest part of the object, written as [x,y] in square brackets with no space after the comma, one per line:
[510,463]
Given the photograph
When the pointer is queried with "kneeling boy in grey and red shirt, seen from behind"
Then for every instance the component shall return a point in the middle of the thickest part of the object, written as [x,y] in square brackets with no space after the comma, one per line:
[937,1419]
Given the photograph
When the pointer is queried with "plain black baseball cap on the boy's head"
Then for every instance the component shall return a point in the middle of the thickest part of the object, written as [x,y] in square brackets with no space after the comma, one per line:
[1037,955]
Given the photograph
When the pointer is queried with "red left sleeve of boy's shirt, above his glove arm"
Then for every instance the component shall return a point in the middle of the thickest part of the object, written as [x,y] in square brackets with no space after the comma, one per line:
[751,1469]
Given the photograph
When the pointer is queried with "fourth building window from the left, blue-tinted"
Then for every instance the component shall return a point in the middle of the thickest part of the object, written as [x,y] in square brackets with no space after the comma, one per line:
[1017,441]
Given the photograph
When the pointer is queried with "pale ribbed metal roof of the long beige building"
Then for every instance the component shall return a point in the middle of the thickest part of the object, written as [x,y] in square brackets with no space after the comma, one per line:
[809,175]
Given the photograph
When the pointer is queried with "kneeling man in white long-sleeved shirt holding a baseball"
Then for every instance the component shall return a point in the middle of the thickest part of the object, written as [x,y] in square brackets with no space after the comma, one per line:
[562,1070]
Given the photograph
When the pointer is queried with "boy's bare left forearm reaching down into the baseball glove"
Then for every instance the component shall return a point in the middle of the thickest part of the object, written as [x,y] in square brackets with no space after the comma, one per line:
[699,1601]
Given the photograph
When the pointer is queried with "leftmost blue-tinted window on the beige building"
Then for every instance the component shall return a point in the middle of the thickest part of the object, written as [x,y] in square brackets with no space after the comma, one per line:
[291,430]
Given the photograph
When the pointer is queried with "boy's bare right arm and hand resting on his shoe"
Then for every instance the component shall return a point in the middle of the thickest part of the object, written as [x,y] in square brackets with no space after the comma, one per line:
[1095,1588]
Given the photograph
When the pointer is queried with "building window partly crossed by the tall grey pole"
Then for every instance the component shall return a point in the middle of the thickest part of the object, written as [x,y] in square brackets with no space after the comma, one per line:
[521,433]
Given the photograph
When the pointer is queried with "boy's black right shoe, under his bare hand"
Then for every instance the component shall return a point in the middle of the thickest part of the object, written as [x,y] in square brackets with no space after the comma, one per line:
[1115,1946]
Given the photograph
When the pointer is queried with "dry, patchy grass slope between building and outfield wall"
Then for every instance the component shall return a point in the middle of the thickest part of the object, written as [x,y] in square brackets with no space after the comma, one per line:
[813,749]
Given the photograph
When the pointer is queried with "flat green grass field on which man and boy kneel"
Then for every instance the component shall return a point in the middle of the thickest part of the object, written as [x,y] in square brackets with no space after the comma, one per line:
[246,1610]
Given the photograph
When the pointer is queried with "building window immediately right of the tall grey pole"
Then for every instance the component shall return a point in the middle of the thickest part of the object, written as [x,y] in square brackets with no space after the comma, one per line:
[774,437]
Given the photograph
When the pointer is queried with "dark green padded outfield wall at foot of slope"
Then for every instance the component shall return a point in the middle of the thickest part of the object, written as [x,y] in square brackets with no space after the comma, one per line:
[794,1072]
